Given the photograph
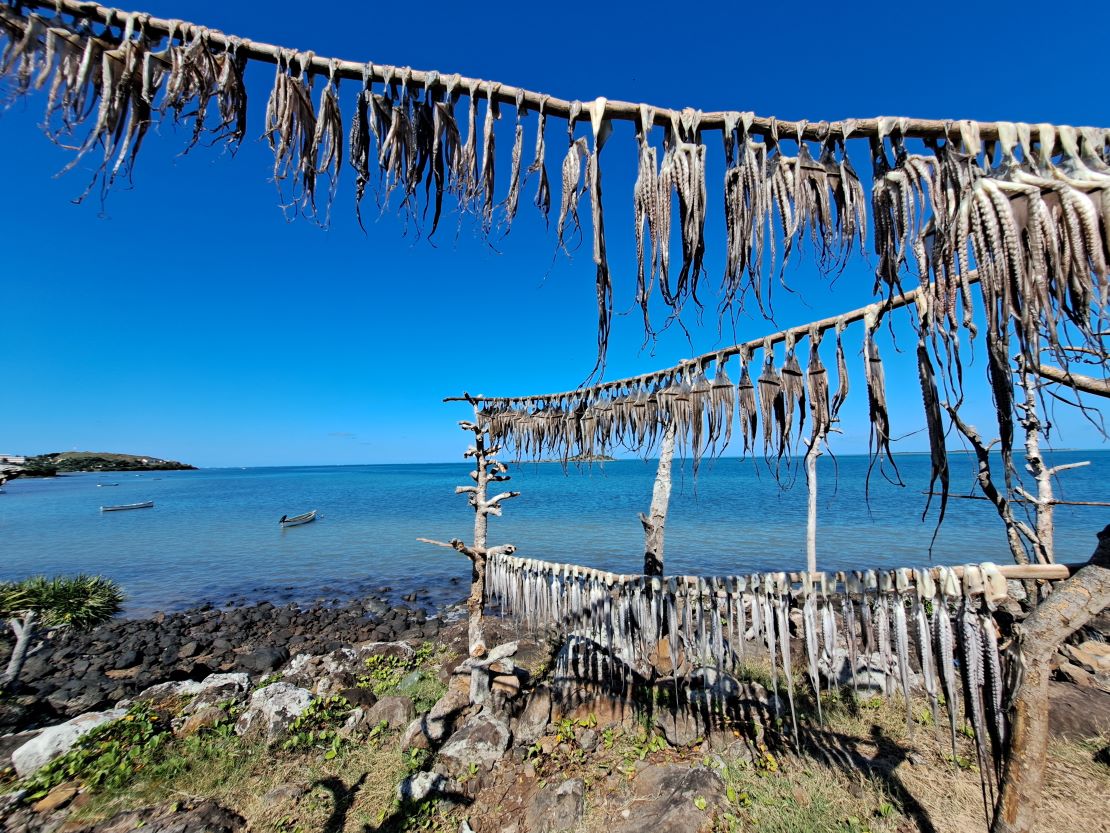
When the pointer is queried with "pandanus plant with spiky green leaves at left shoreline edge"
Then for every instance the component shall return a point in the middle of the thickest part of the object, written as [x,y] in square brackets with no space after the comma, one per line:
[82,603]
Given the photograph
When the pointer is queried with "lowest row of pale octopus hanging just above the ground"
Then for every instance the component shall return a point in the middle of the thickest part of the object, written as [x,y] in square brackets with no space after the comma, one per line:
[913,628]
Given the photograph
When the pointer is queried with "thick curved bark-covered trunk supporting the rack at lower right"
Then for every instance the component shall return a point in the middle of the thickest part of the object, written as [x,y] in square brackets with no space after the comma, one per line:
[1072,605]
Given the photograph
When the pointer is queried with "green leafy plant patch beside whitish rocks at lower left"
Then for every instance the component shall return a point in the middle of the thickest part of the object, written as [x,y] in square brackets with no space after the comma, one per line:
[109,757]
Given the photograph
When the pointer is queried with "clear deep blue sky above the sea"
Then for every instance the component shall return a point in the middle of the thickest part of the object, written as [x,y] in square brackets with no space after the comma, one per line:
[190,320]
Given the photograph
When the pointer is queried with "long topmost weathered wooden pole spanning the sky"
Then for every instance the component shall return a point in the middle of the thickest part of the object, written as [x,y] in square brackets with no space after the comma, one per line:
[814,131]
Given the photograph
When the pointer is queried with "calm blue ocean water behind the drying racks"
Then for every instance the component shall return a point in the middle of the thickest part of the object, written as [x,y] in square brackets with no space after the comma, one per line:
[215,534]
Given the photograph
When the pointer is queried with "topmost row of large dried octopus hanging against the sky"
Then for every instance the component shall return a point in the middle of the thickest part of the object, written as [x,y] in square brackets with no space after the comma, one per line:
[1031,209]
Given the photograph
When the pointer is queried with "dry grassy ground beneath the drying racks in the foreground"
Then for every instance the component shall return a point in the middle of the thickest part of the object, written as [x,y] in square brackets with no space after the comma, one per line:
[866,769]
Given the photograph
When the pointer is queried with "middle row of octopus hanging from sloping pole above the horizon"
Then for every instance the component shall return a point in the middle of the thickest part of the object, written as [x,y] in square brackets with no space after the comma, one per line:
[779,406]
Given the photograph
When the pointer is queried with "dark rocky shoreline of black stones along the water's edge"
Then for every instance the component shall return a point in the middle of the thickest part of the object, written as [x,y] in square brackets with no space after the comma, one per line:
[70,674]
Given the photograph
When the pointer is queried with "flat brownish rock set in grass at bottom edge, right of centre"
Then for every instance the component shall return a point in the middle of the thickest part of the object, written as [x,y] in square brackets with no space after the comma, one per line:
[674,799]
